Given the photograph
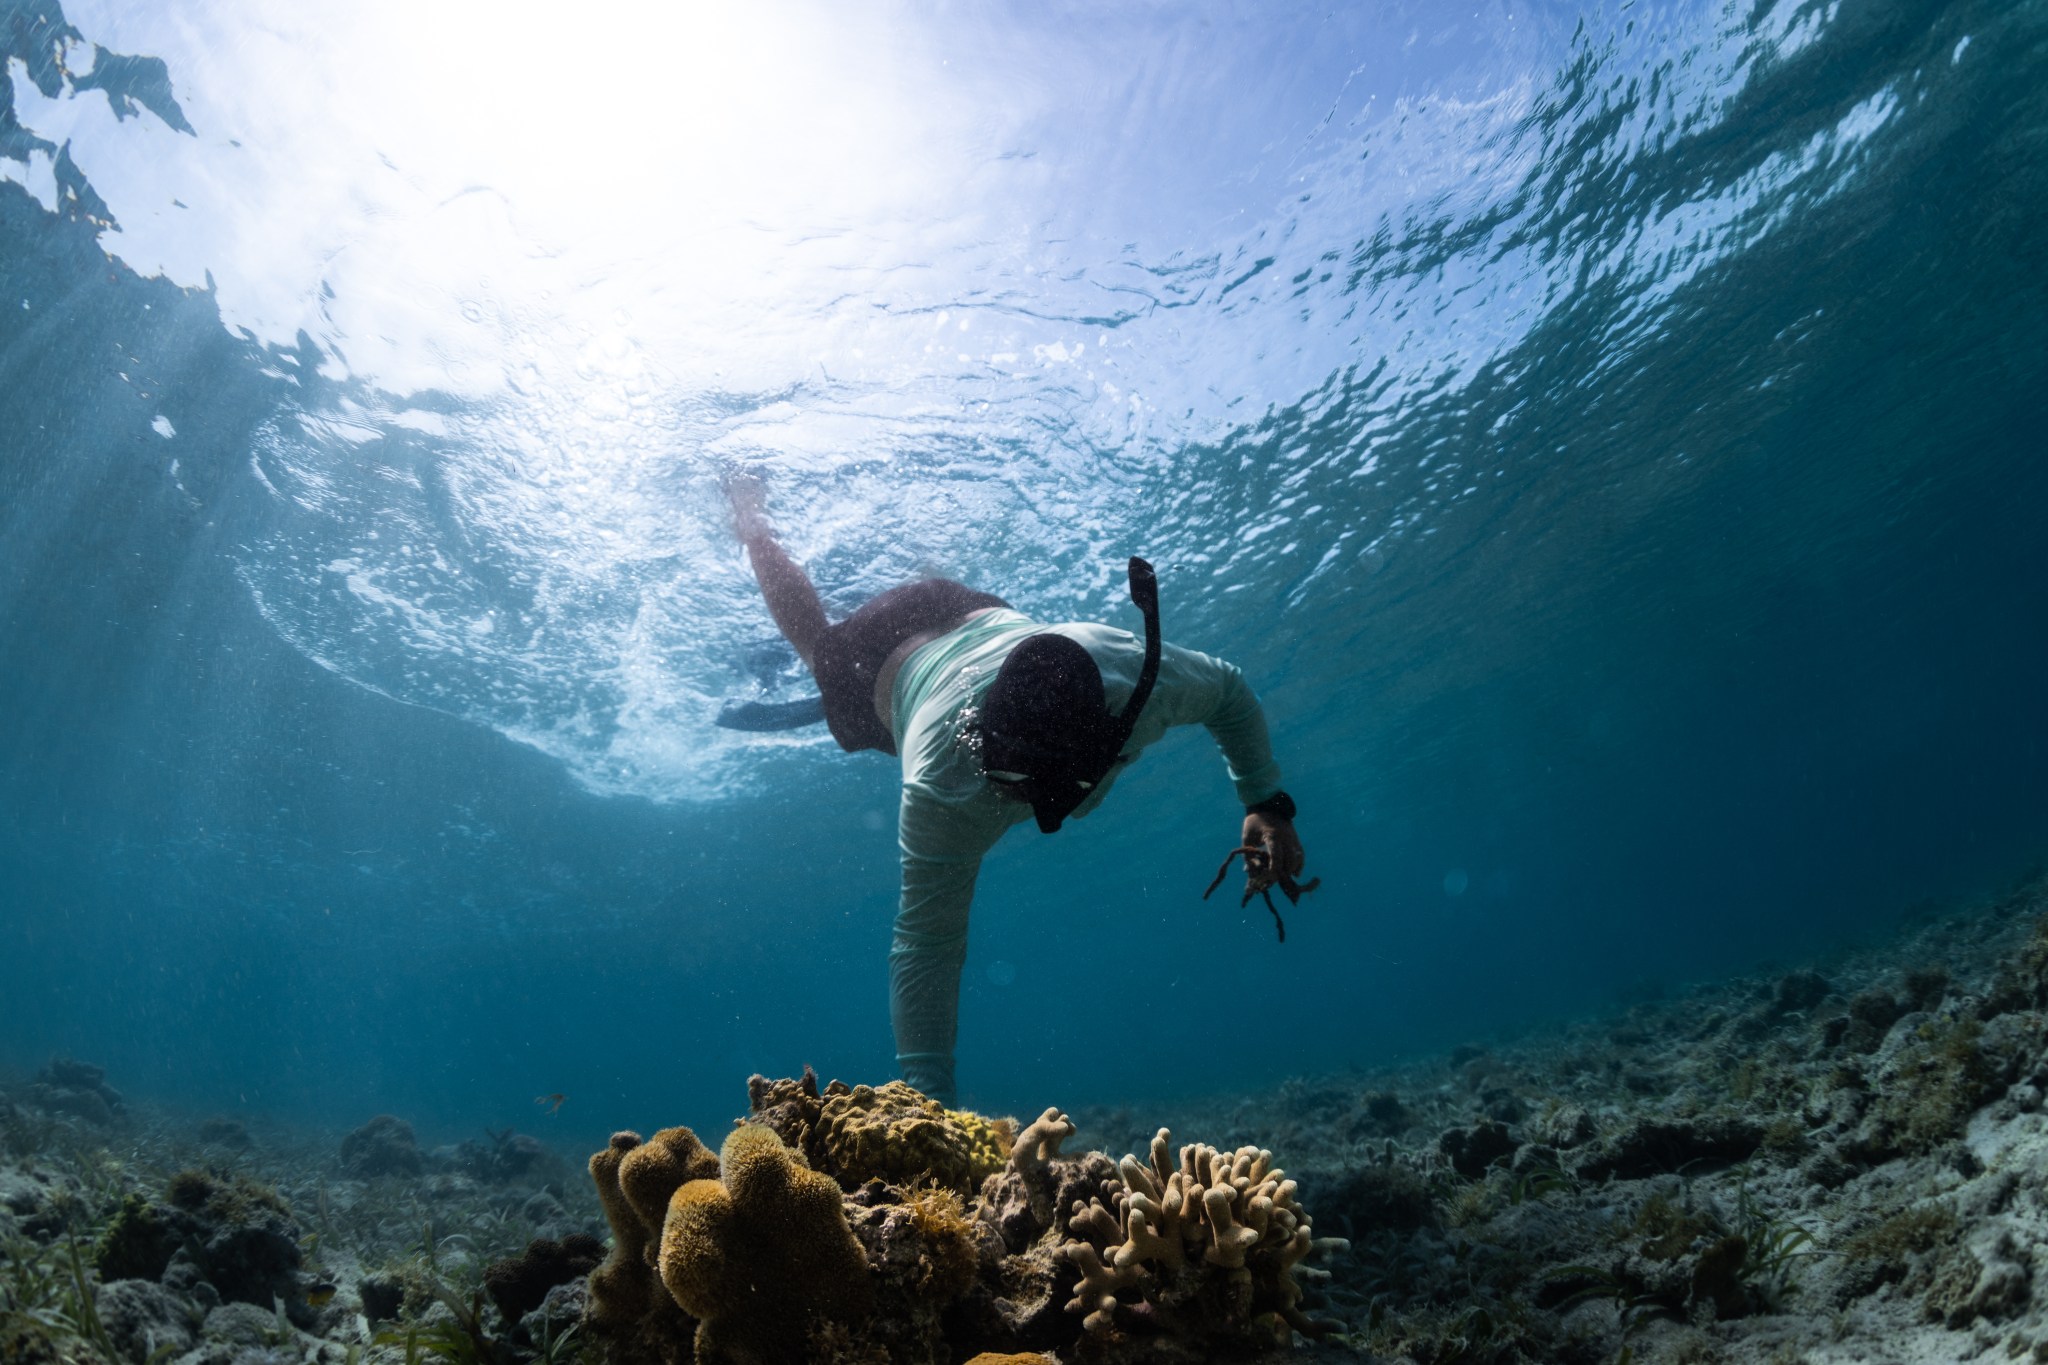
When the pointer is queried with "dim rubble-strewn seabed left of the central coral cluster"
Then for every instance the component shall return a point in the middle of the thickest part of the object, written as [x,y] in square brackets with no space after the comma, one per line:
[163,1241]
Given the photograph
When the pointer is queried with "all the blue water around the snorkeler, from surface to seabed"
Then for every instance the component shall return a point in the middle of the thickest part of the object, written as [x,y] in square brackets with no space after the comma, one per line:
[1607,439]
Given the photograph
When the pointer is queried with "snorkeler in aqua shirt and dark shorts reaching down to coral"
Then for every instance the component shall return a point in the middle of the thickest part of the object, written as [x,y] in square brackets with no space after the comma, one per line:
[1000,719]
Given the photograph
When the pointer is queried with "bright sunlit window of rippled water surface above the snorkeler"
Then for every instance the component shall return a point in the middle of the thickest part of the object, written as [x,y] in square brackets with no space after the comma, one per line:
[497,498]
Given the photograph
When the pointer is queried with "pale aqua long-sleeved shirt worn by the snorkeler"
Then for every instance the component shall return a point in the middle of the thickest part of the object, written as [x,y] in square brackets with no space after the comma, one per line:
[951,816]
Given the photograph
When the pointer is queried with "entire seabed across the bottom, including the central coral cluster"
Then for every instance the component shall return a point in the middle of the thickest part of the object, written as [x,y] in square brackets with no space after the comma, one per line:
[1844,1161]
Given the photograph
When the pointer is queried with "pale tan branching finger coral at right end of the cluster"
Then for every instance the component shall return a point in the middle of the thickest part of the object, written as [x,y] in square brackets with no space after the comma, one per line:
[1209,1245]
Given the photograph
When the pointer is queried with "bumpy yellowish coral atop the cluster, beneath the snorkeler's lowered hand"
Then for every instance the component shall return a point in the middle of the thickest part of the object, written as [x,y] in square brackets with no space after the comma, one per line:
[896,1135]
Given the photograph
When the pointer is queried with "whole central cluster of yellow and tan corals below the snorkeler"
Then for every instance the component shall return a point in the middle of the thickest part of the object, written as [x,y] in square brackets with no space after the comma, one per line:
[767,1258]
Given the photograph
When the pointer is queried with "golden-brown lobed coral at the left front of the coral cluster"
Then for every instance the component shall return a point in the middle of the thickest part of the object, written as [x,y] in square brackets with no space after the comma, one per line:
[763,1258]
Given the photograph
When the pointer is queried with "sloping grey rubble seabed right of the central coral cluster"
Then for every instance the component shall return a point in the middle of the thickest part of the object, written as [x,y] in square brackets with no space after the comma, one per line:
[1830,1163]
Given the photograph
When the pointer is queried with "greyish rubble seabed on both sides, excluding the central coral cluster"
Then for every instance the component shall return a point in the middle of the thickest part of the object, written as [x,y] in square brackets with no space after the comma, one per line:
[1846,1161]
